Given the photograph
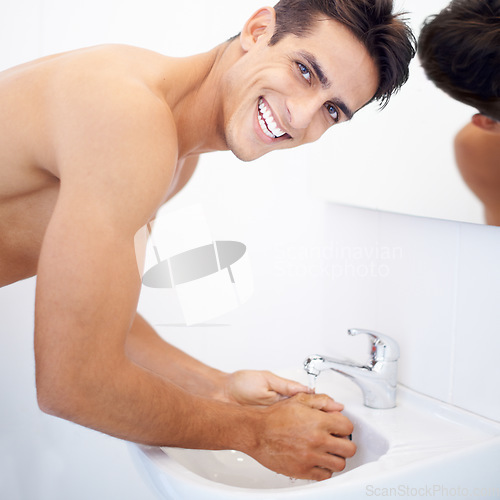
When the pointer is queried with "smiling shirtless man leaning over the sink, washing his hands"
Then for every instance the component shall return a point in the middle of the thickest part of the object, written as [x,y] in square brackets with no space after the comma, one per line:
[94,141]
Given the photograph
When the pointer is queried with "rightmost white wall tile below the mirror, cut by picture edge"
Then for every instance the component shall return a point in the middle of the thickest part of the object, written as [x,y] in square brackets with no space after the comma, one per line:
[477,347]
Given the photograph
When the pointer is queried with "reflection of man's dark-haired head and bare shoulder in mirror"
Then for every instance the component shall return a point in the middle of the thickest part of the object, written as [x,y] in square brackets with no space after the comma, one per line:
[459,49]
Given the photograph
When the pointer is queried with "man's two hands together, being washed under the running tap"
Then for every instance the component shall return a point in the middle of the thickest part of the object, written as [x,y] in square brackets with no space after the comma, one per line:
[304,434]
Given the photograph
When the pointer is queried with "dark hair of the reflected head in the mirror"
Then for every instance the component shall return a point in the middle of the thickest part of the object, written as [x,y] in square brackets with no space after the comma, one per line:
[459,49]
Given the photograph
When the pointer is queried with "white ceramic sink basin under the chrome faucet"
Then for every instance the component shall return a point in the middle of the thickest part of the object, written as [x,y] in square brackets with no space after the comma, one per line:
[420,448]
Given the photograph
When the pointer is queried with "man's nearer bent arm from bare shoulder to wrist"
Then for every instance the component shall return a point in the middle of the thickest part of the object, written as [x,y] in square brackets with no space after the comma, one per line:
[115,164]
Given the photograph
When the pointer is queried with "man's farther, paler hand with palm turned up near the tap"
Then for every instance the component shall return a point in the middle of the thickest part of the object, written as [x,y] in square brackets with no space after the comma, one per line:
[250,387]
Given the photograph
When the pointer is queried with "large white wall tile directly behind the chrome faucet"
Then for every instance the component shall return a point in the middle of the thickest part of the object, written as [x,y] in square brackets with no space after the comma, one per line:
[396,275]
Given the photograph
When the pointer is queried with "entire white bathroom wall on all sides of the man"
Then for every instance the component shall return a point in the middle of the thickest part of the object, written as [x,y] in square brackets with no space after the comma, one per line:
[319,269]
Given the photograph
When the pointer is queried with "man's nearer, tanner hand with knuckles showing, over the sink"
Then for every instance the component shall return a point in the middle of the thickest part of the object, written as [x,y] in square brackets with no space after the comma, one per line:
[305,437]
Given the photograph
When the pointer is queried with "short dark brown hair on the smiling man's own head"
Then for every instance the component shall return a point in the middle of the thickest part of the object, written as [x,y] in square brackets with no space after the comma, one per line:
[386,36]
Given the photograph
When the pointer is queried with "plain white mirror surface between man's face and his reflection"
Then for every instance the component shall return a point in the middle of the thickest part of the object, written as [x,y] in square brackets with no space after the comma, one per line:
[401,159]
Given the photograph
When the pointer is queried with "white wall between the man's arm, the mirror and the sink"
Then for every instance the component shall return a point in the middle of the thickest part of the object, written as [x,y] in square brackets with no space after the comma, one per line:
[321,268]
